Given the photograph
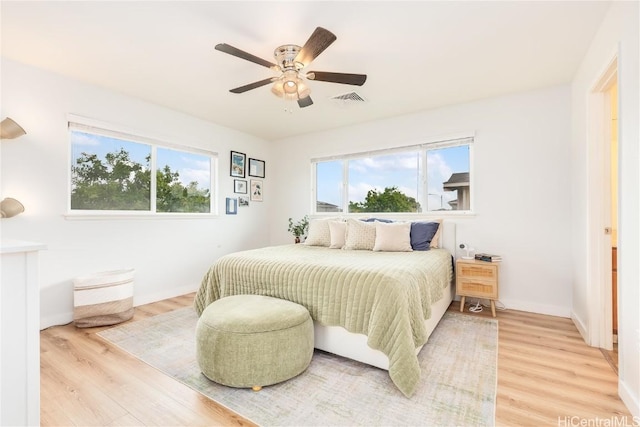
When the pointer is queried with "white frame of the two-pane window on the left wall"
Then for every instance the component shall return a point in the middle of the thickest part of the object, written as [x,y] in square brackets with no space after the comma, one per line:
[96,127]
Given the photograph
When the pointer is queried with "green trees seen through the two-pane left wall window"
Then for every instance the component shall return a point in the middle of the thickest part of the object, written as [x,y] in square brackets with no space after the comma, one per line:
[118,183]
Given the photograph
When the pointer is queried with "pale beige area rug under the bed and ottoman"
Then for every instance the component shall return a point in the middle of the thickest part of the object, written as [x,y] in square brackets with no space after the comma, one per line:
[458,385]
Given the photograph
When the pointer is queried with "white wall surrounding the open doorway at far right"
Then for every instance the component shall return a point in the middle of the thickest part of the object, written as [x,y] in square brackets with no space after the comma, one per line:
[619,35]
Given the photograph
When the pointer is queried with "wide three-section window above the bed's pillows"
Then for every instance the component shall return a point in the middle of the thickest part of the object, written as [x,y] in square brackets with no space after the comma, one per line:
[422,178]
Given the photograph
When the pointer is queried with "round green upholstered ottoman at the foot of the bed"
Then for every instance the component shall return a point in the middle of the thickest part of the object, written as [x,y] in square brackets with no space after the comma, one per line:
[253,341]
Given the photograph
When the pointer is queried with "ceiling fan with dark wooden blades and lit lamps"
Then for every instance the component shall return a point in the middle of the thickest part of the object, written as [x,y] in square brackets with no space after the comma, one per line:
[291,59]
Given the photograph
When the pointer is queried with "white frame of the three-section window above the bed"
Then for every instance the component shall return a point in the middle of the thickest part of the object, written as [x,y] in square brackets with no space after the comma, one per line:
[466,139]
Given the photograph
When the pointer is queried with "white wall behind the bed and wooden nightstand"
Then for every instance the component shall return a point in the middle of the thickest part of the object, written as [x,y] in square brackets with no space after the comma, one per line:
[521,178]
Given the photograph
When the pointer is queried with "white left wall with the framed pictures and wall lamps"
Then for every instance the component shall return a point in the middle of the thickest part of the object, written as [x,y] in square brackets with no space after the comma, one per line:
[170,256]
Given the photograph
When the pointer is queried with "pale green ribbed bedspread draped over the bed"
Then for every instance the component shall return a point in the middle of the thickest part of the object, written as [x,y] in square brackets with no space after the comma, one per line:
[384,295]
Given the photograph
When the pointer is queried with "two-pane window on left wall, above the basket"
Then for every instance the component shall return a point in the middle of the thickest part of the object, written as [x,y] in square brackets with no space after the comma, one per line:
[111,172]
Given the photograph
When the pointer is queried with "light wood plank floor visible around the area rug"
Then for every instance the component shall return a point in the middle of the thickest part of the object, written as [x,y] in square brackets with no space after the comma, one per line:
[546,376]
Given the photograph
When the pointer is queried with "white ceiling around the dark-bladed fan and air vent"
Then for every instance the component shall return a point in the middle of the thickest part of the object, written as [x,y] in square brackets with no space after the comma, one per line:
[417,55]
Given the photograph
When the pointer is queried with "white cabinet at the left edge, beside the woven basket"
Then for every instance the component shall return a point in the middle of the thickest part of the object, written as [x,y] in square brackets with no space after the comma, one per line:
[19,333]
